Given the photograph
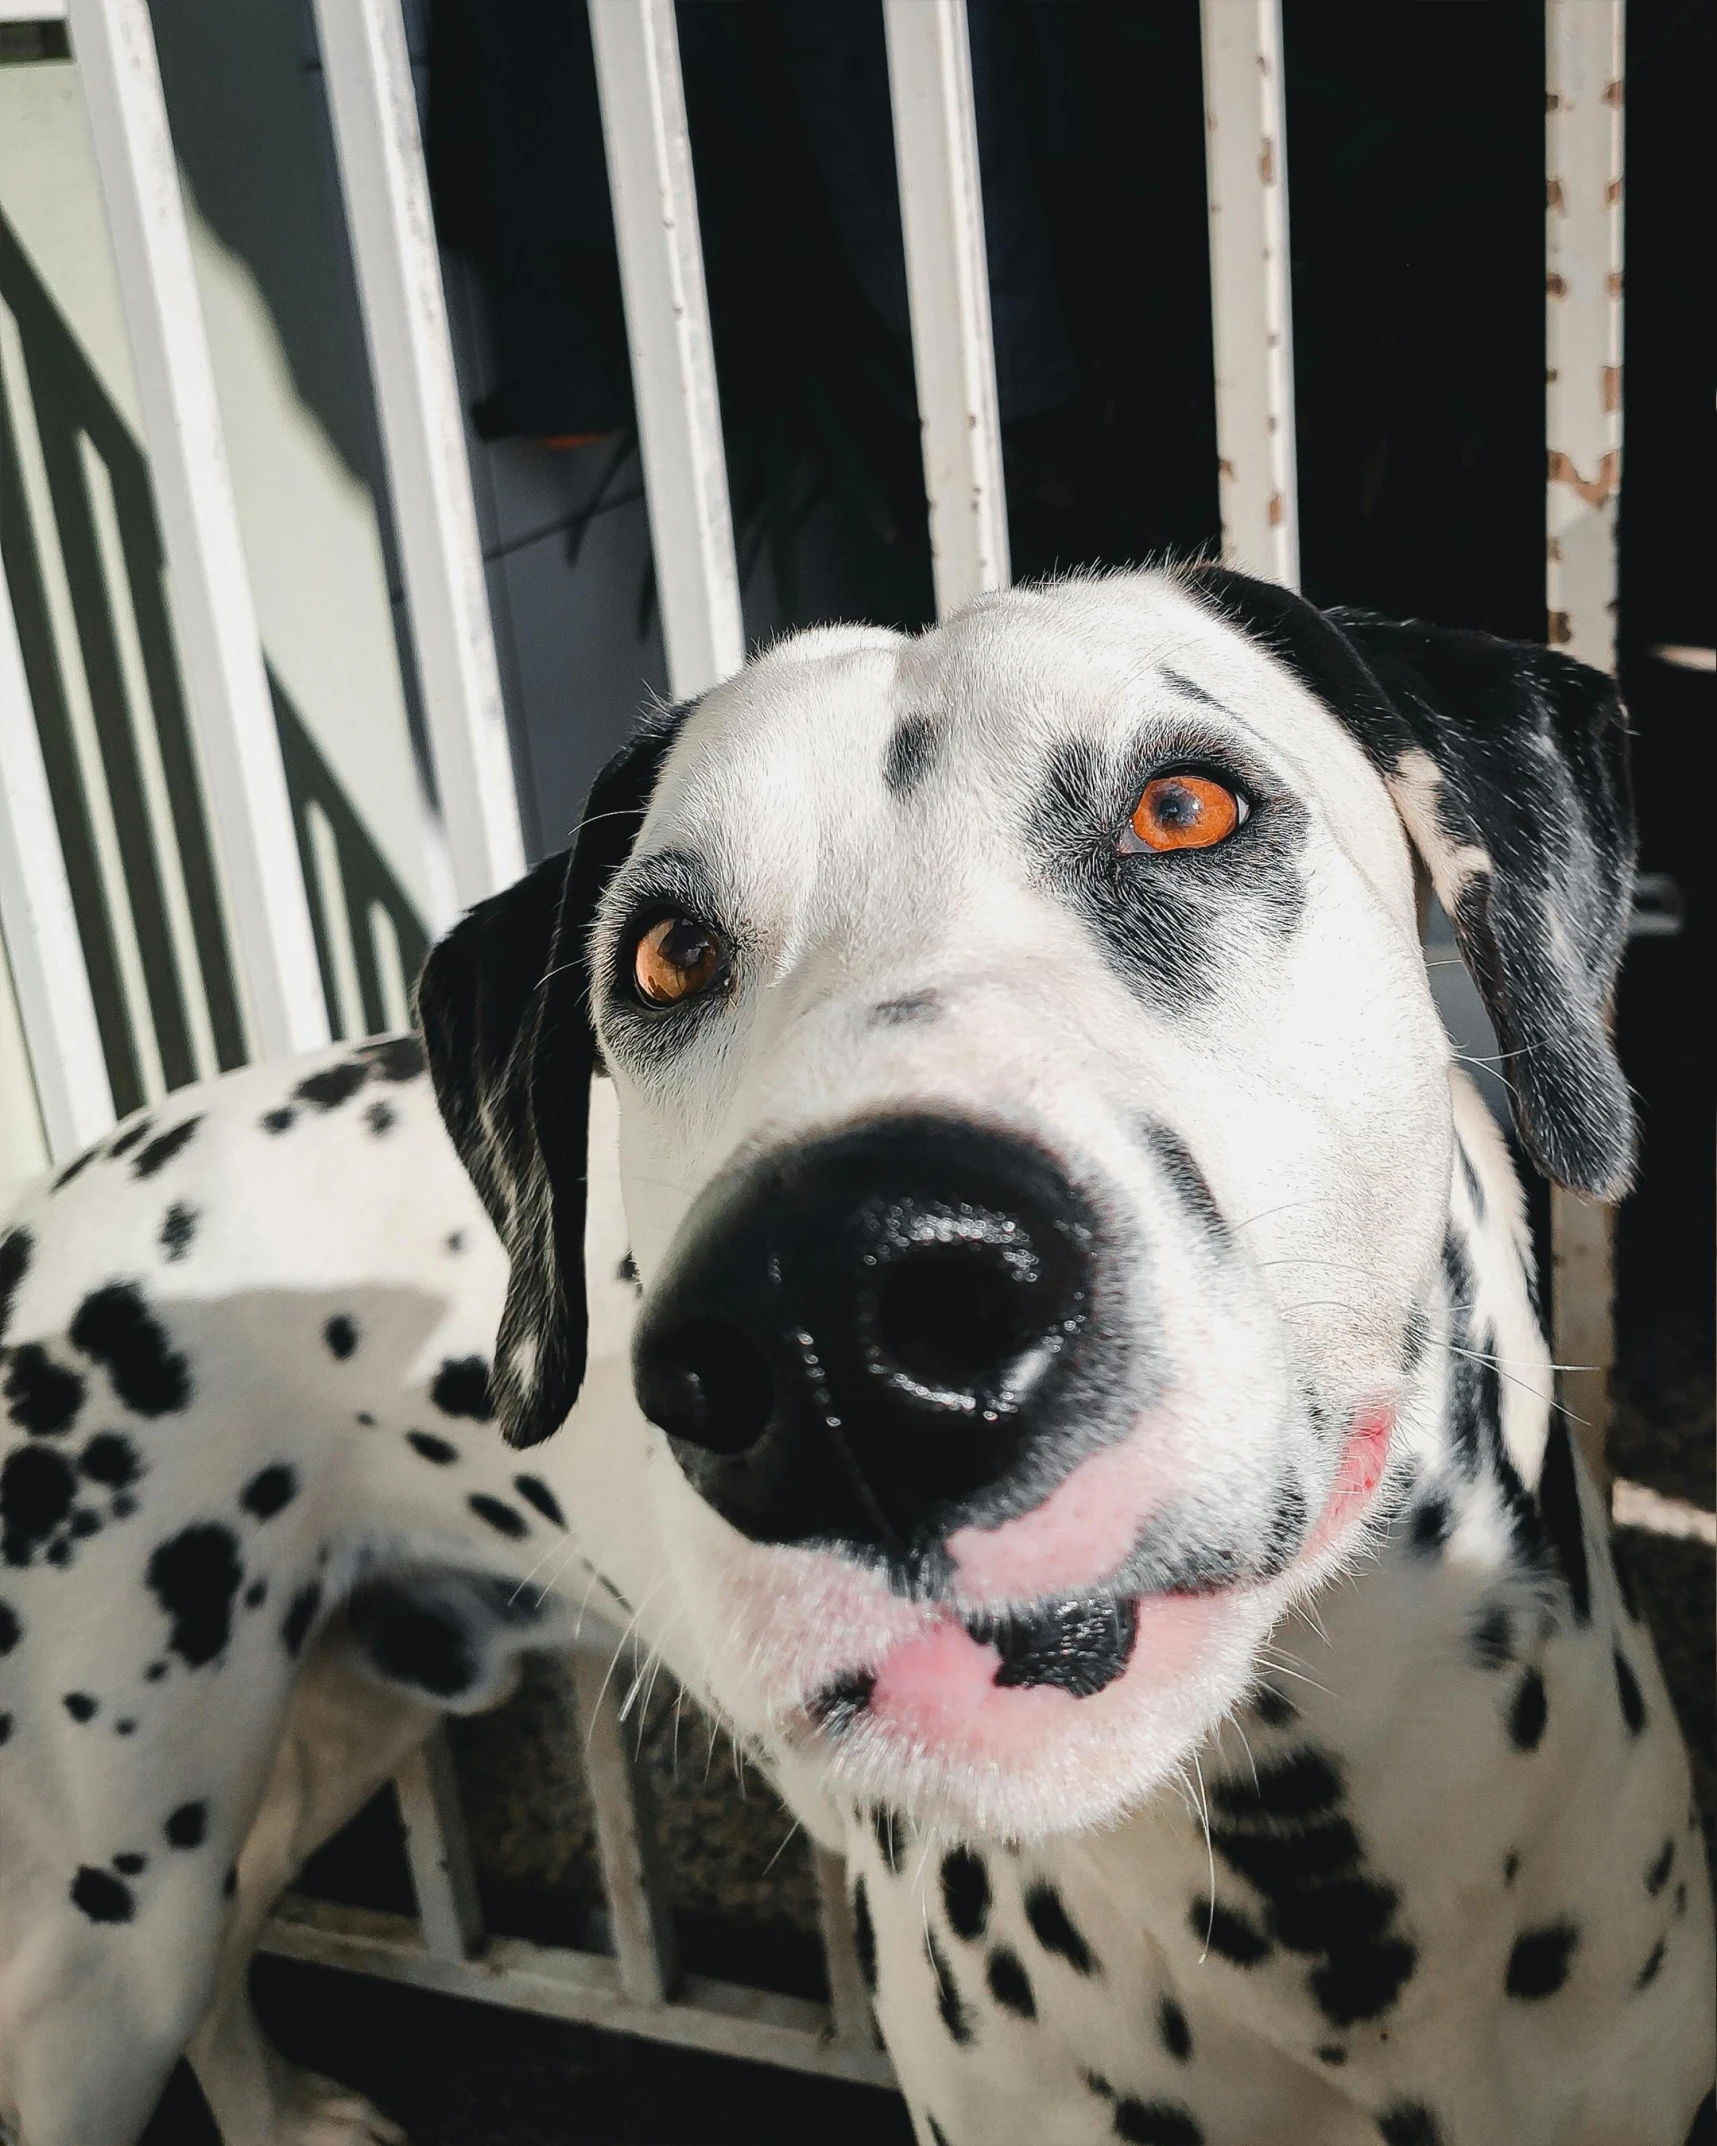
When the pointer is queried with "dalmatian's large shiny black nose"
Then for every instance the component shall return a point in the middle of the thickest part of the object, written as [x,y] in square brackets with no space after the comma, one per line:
[862,1338]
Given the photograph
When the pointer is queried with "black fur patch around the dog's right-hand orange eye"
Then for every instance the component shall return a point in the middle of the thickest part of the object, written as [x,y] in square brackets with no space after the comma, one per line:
[1177,928]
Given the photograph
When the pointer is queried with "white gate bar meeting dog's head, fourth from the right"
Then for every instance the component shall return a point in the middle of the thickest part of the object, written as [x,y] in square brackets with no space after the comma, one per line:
[669,334]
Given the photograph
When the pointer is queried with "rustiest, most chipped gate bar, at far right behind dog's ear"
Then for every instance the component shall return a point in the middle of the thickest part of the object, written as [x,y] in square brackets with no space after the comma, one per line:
[1585,465]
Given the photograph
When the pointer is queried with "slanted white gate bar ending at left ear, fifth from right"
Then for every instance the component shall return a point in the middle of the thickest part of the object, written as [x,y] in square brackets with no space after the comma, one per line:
[372,102]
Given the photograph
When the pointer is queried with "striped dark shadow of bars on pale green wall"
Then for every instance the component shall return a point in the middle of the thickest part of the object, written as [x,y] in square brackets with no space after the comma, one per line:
[87,576]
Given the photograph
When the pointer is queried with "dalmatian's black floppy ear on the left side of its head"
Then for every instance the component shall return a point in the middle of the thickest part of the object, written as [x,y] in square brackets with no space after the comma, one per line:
[505,1014]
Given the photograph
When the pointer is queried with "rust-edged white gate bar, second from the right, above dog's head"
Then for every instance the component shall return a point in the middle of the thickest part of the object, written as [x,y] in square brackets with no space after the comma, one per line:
[1246,160]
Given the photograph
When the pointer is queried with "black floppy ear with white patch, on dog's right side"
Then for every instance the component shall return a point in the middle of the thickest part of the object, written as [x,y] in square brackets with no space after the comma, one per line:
[1508,765]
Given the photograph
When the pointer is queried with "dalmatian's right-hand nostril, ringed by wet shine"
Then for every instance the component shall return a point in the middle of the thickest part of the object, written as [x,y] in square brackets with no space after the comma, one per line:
[956,1314]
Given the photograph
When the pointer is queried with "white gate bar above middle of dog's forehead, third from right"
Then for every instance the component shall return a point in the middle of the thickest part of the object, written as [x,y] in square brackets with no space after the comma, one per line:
[948,286]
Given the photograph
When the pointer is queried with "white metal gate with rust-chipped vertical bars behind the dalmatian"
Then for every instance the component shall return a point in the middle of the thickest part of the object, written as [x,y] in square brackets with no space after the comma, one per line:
[641,1990]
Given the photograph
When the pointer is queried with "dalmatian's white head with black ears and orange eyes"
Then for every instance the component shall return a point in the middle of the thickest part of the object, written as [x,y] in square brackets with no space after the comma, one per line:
[1036,1134]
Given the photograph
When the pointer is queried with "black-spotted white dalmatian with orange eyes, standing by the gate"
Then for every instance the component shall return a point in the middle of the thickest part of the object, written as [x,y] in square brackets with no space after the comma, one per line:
[1087,1422]
